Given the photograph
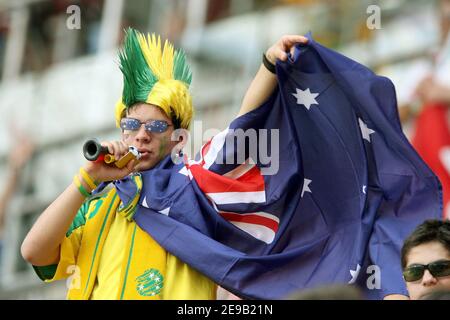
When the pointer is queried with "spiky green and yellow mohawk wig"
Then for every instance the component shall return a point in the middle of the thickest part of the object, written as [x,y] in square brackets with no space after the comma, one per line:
[155,75]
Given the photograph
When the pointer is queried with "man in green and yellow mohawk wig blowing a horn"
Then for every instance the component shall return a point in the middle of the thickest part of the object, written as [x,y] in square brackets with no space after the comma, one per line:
[88,233]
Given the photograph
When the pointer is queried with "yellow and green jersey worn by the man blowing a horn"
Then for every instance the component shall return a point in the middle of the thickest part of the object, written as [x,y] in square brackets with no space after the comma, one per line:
[122,258]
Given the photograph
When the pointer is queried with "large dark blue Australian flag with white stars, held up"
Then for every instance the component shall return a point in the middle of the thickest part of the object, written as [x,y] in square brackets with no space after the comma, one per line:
[347,190]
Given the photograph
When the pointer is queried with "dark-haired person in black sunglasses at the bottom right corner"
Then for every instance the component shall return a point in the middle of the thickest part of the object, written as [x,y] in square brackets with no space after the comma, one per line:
[425,259]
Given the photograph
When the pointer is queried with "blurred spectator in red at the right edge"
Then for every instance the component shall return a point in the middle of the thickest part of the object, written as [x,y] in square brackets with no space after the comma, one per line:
[432,136]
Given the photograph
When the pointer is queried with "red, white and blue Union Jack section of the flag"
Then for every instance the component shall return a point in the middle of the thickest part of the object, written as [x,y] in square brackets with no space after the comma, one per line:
[238,188]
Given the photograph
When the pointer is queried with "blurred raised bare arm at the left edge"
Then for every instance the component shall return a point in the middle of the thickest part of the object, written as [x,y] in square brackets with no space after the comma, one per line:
[21,152]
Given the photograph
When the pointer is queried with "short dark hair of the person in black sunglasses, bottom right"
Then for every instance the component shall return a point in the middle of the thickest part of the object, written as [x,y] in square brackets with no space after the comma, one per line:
[429,231]
